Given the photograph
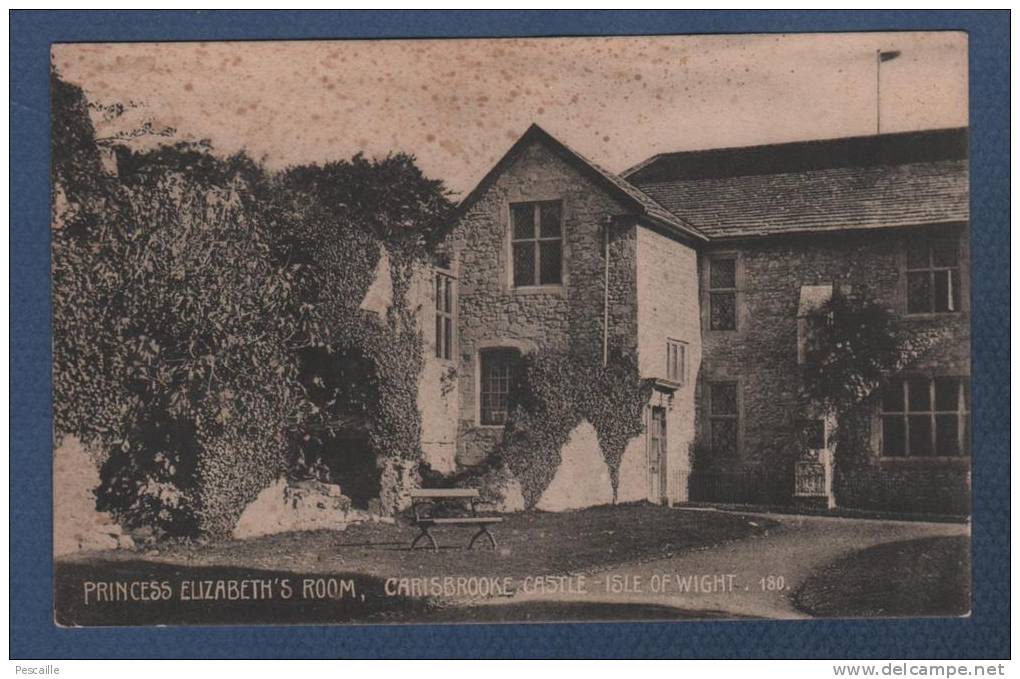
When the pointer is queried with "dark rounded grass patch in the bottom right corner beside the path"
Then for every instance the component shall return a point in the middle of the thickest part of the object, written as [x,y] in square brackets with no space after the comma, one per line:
[923,578]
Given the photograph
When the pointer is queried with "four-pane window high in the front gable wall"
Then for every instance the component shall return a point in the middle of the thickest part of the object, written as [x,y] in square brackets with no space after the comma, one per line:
[537,240]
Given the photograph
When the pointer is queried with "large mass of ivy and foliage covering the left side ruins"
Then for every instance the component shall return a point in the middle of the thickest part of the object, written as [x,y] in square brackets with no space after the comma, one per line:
[187,287]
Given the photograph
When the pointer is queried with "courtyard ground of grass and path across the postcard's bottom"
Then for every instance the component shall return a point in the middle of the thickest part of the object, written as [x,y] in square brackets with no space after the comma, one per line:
[640,561]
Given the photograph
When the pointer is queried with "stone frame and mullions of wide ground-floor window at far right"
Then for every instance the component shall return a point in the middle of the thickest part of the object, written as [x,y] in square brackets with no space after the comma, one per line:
[964,414]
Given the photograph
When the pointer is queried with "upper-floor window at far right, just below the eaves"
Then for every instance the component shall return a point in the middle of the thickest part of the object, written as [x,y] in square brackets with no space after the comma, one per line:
[934,274]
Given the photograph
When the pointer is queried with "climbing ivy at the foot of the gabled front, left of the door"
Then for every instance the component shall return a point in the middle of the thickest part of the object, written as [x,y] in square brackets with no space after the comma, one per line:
[554,394]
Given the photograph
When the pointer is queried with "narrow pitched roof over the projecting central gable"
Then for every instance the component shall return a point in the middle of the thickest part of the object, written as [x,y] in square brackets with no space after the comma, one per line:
[627,193]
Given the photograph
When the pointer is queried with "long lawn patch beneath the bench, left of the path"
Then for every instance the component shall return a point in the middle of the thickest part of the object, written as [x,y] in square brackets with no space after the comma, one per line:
[530,544]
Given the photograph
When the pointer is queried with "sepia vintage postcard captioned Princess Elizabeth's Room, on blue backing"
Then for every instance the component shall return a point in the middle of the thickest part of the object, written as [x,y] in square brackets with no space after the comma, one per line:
[520,330]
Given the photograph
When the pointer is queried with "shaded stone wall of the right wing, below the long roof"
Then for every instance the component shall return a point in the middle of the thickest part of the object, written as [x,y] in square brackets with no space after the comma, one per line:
[761,357]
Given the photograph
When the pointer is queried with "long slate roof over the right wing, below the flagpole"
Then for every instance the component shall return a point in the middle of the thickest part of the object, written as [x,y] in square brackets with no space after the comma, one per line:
[877,182]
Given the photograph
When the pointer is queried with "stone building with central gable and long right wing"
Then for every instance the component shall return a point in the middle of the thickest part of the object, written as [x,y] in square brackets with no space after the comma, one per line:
[701,265]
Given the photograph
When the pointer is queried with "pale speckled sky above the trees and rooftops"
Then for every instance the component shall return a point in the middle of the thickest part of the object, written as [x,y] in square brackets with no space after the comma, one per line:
[458,106]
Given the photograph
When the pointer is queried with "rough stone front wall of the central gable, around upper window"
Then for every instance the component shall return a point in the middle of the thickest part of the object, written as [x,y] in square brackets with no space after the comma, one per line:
[492,314]
